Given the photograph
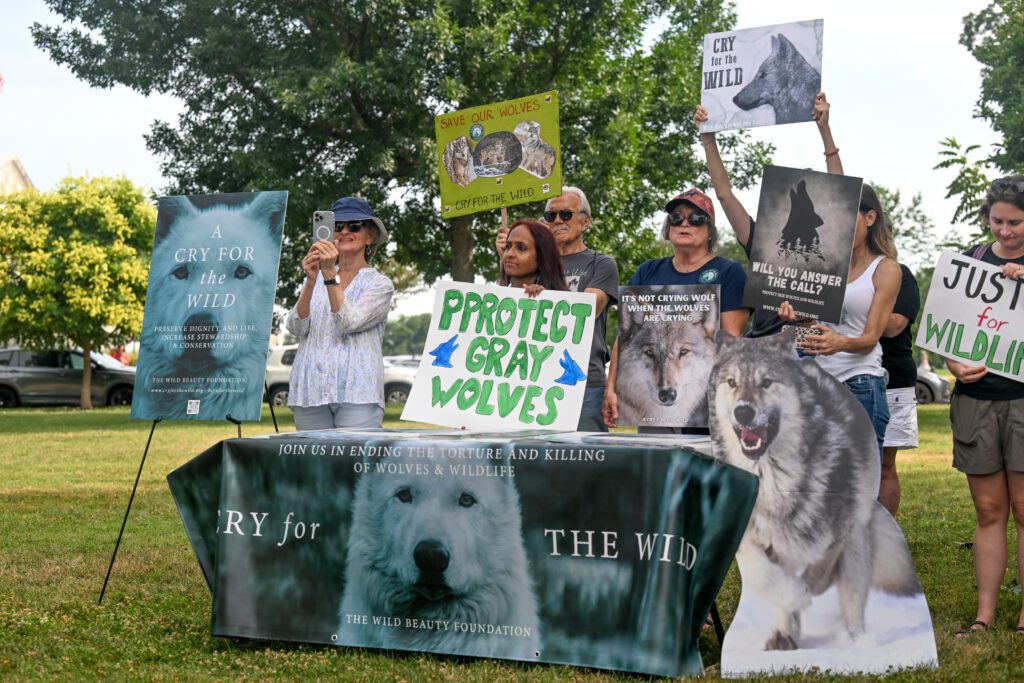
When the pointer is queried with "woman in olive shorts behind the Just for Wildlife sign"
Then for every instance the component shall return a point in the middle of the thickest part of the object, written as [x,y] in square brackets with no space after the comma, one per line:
[988,416]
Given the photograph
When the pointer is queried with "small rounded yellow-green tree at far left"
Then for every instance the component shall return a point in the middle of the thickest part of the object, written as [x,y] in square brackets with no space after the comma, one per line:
[75,266]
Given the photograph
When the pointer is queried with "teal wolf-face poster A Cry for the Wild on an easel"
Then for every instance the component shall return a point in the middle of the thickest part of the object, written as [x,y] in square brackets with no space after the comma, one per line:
[209,307]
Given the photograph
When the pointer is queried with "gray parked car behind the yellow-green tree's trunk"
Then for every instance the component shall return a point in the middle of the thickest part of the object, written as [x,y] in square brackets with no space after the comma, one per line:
[55,378]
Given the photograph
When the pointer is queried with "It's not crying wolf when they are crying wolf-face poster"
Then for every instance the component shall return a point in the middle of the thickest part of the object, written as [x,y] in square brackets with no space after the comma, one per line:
[666,353]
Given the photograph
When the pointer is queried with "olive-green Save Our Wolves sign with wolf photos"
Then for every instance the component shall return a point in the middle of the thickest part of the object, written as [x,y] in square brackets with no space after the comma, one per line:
[499,155]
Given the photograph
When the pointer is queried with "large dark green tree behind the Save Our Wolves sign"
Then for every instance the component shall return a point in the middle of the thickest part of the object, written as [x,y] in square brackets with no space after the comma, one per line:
[331,99]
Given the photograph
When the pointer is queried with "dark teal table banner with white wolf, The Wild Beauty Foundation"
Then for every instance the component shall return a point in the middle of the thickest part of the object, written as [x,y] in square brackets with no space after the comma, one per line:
[595,551]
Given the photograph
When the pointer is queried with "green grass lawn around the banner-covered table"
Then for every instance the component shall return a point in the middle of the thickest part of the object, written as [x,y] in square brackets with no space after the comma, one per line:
[67,477]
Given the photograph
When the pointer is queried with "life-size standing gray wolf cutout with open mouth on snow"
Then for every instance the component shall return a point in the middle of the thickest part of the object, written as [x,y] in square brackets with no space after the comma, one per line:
[828,579]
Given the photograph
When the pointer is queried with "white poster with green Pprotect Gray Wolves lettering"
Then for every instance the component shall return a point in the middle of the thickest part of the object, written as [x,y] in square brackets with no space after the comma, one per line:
[498,360]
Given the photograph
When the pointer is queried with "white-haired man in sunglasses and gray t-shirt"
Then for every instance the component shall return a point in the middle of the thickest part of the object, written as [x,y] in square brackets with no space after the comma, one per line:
[586,271]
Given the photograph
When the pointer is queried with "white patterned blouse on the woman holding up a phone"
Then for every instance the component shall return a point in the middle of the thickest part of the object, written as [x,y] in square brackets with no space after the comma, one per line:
[340,358]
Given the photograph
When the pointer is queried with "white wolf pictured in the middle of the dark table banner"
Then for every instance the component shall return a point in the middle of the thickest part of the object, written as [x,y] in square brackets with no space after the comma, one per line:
[438,564]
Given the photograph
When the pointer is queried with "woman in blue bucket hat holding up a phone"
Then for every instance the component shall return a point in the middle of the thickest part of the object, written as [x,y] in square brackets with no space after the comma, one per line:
[338,376]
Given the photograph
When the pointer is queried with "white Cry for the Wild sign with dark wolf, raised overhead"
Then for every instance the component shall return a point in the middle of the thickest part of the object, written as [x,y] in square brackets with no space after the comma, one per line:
[761,77]
